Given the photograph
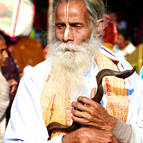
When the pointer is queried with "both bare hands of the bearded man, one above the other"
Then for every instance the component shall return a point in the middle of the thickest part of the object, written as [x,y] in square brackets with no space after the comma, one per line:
[89,112]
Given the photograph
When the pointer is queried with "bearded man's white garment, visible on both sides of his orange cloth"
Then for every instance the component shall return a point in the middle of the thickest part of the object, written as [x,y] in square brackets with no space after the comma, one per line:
[26,123]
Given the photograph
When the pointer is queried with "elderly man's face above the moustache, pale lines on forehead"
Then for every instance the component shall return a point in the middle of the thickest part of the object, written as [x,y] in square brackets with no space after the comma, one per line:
[72,22]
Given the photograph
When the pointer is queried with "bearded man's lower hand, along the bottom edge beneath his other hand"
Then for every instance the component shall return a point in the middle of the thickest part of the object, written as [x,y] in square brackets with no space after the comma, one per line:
[89,135]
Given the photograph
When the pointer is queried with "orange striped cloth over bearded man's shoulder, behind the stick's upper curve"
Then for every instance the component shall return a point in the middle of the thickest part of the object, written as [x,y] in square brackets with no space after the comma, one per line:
[115,88]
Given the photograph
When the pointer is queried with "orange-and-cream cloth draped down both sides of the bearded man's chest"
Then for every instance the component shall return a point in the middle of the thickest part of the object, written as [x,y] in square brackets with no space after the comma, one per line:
[58,108]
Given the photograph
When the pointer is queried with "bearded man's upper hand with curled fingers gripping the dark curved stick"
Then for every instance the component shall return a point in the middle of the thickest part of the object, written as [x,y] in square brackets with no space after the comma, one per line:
[89,112]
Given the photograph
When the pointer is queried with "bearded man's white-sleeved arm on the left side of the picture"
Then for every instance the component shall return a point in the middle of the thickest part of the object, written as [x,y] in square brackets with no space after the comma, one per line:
[26,123]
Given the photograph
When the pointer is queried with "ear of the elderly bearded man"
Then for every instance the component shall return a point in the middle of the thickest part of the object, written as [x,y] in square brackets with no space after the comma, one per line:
[100,27]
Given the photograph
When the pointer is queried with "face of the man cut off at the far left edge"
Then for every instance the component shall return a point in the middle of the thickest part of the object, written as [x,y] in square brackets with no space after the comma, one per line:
[3,52]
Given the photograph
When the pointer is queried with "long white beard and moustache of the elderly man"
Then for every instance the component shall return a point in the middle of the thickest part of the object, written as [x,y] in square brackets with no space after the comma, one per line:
[70,63]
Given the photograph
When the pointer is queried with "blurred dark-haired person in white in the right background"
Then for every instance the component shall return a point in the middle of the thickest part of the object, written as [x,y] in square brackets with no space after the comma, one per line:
[123,45]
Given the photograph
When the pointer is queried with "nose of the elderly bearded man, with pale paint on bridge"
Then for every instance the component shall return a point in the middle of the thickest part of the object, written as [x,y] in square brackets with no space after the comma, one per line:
[68,35]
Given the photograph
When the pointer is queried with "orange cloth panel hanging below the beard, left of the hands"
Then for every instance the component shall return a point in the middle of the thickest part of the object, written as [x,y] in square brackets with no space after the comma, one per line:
[55,107]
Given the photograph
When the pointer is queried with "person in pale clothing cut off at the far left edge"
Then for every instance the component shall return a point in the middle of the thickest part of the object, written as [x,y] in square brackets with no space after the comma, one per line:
[4,87]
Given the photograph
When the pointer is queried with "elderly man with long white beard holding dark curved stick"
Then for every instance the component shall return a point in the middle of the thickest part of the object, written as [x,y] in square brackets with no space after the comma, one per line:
[68,76]
